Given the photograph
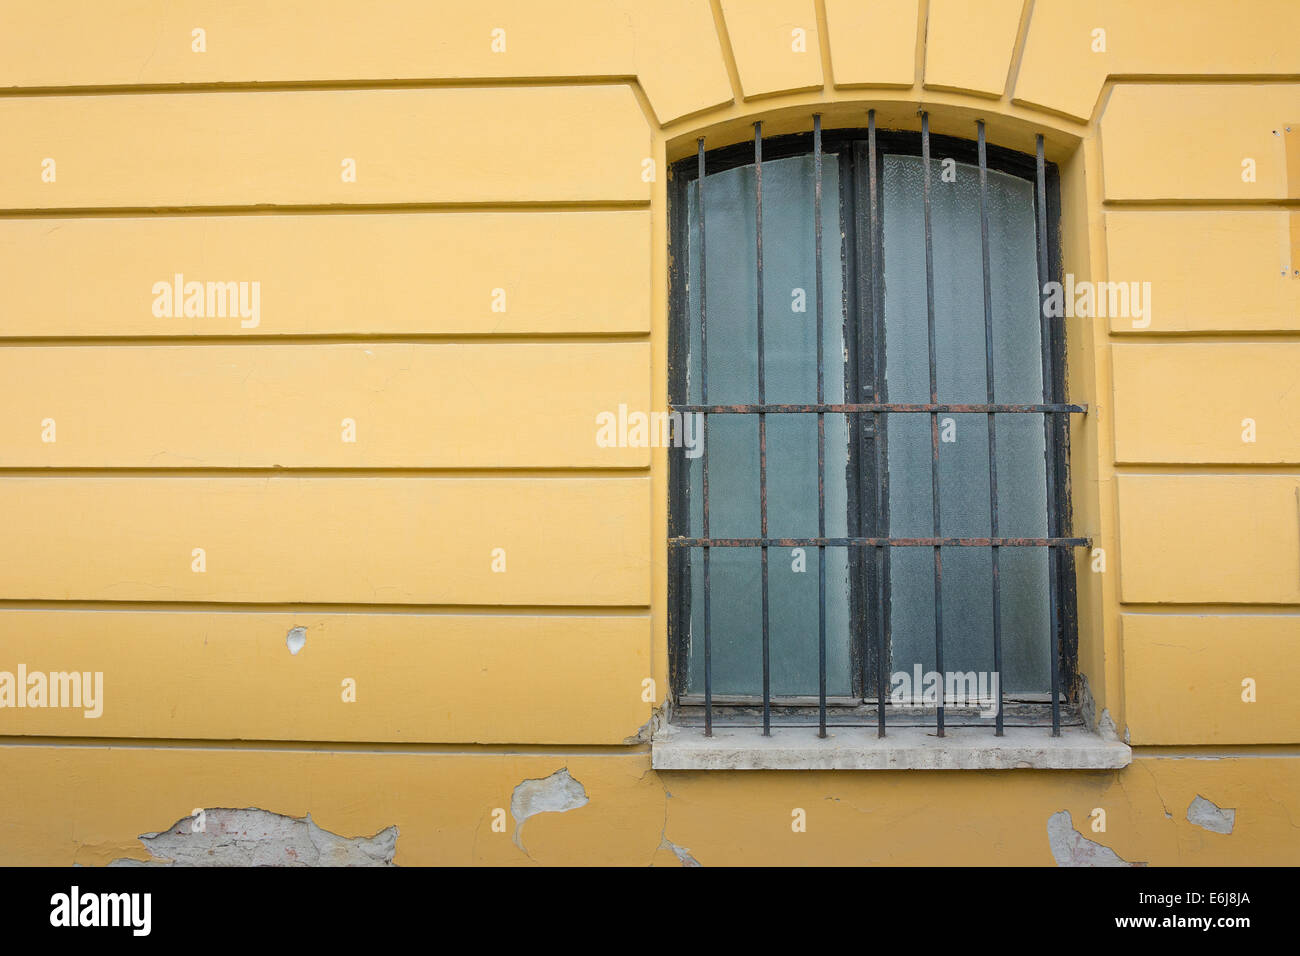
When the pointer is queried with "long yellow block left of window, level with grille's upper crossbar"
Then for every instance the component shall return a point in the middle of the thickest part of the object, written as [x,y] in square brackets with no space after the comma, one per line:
[363,406]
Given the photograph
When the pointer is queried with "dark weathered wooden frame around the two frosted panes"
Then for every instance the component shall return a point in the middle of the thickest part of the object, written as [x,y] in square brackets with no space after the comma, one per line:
[859,306]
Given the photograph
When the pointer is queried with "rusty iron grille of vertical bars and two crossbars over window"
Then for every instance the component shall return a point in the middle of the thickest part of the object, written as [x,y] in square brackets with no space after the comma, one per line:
[882,544]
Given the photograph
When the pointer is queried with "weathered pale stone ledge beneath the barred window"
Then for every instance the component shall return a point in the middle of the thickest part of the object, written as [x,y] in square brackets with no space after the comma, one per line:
[905,749]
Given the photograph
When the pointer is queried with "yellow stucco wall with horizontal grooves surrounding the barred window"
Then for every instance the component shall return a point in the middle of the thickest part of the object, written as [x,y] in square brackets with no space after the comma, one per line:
[536,176]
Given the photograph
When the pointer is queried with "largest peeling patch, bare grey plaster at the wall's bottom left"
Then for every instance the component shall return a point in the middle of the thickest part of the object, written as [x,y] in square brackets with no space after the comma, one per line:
[261,838]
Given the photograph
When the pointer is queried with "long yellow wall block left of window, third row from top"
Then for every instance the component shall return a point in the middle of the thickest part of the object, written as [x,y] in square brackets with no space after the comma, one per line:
[449,274]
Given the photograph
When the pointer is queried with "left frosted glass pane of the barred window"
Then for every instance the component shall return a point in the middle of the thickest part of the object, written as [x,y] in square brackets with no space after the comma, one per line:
[791,374]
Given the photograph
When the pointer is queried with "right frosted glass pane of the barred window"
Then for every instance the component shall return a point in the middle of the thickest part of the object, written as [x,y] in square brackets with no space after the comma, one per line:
[964,461]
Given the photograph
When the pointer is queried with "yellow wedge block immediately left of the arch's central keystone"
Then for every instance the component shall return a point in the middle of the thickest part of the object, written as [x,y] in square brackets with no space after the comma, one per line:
[775,45]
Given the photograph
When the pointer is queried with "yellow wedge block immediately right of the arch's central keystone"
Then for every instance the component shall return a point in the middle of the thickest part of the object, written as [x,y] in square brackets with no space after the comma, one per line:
[969,45]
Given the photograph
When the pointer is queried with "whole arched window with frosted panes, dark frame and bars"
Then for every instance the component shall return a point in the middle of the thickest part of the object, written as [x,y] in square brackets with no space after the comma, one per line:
[882,492]
